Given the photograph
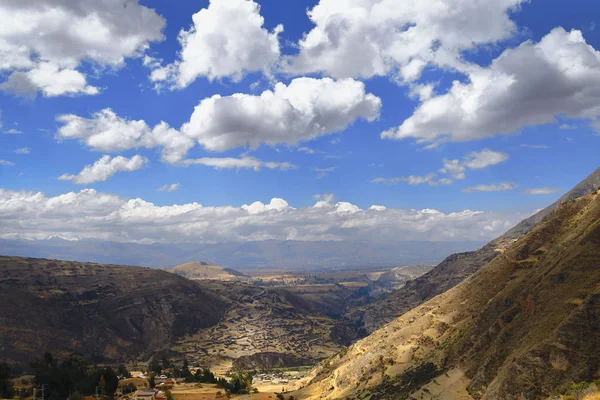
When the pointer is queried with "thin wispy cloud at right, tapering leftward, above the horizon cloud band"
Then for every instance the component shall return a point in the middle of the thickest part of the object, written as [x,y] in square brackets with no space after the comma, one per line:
[456,169]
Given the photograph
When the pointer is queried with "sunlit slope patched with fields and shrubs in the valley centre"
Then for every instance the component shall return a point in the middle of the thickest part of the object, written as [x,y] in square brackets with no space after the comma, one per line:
[264,321]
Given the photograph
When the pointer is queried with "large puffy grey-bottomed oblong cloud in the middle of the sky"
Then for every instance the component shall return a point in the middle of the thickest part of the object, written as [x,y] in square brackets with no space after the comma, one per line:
[305,109]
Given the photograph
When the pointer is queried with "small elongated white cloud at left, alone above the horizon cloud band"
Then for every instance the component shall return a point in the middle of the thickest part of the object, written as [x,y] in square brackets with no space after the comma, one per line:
[104,168]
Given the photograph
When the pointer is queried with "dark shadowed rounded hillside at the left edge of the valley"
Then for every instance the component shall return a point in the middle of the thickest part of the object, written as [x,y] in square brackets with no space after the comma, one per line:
[107,312]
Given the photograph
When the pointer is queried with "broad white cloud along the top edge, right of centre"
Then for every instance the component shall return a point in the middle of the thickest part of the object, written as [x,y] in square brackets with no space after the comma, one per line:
[366,38]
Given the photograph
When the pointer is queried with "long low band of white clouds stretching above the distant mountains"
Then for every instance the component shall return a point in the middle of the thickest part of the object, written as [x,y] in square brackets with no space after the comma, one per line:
[91,214]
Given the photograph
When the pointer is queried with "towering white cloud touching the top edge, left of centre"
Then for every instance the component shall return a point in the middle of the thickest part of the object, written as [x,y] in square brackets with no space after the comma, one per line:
[226,39]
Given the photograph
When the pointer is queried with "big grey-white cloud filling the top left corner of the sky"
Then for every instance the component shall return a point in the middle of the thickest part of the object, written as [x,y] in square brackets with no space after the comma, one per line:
[42,43]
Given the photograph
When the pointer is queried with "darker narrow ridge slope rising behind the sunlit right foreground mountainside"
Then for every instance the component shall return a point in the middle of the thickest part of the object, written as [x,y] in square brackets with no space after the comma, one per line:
[456,267]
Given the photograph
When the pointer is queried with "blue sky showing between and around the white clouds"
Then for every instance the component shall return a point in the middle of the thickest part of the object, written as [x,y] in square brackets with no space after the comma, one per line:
[346,162]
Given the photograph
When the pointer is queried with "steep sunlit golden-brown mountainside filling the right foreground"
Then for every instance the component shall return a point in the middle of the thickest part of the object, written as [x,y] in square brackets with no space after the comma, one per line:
[523,325]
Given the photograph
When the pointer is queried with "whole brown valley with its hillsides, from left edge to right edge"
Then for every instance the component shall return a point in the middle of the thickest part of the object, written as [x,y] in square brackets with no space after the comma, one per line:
[517,318]
